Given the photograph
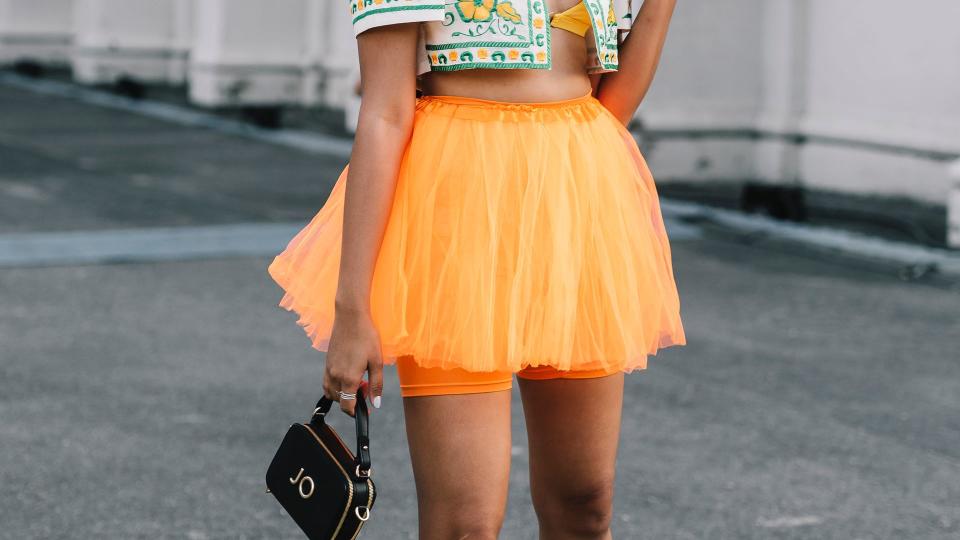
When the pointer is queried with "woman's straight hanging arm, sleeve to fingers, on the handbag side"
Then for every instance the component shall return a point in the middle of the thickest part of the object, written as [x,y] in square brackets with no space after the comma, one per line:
[387,74]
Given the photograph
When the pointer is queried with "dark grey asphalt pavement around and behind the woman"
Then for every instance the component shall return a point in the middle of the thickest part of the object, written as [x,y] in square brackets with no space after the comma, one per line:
[818,397]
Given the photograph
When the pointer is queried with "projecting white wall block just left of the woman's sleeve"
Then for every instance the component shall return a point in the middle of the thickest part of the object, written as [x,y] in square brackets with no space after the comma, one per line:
[288,52]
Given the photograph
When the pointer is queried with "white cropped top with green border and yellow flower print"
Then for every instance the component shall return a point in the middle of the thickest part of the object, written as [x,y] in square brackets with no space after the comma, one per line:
[503,34]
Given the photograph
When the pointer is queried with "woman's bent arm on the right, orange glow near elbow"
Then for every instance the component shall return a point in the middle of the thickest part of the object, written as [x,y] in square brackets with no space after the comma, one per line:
[622,91]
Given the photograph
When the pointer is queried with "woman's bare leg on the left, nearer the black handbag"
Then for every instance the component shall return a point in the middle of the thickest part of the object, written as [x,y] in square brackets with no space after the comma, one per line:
[460,448]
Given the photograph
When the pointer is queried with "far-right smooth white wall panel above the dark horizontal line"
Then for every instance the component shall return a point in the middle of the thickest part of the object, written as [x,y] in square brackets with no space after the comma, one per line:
[886,71]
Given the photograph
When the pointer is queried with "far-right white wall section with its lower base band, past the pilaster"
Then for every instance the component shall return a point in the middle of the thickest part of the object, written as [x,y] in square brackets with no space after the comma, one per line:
[887,73]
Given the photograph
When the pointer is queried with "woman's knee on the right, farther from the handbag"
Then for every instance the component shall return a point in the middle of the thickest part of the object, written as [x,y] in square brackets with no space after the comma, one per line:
[584,510]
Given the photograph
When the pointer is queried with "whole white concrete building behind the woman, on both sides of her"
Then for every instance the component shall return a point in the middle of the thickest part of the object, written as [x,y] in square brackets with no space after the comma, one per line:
[859,98]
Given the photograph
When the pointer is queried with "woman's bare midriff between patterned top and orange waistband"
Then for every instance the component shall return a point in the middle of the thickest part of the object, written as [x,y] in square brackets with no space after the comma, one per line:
[567,78]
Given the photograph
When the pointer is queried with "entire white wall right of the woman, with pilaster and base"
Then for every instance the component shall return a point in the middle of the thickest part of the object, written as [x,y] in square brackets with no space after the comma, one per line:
[874,84]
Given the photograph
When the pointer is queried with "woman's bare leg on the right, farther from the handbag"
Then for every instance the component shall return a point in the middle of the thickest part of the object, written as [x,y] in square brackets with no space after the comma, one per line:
[574,428]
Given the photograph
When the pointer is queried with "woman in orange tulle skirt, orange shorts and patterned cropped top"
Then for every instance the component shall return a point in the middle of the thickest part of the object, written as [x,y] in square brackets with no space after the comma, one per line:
[502,224]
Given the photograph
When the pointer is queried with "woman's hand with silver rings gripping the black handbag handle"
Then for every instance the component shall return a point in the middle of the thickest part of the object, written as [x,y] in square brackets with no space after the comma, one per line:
[354,348]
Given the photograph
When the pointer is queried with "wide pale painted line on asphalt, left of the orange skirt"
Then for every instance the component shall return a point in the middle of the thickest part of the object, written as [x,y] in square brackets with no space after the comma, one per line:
[144,245]
